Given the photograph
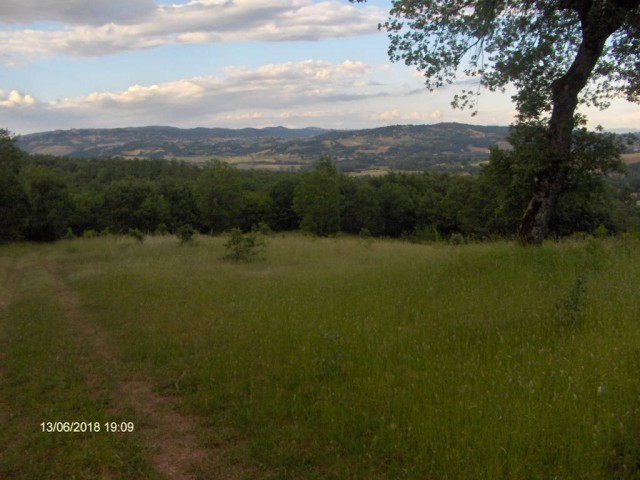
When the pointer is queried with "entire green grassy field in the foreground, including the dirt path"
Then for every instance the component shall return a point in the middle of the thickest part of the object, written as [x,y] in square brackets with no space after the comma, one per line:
[329,359]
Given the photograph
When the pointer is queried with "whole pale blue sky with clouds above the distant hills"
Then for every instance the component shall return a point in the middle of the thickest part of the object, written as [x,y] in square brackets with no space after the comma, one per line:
[221,63]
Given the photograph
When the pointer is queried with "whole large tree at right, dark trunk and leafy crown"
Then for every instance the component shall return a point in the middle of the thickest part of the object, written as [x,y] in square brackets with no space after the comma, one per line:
[558,54]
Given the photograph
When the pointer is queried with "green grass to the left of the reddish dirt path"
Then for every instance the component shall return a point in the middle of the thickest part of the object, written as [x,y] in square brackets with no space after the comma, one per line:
[44,378]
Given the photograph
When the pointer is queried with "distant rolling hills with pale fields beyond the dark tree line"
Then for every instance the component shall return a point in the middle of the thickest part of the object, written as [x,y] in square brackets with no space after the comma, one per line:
[444,146]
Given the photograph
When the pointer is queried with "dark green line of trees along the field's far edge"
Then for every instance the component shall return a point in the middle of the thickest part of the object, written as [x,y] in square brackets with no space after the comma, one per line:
[45,198]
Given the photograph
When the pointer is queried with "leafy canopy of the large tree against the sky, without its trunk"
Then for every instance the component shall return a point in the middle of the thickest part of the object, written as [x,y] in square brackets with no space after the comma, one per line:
[526,43]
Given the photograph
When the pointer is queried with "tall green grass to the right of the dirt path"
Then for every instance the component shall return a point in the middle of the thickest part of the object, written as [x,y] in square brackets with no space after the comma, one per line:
[331,359]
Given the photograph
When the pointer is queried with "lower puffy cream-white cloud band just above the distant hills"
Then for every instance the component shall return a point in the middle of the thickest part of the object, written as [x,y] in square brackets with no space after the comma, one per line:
[242,95]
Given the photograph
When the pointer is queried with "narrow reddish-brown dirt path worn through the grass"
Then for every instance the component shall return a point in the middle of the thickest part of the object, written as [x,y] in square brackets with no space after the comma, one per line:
[170,436]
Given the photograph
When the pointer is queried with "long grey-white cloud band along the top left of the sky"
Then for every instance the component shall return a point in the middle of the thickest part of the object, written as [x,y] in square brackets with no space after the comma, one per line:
[102,27]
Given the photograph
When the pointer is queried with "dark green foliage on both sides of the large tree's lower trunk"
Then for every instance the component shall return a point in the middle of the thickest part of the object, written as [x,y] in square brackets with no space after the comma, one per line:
[510,178]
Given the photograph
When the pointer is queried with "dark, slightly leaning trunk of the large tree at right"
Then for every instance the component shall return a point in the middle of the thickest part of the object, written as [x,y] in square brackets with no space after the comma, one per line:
[565,90]
